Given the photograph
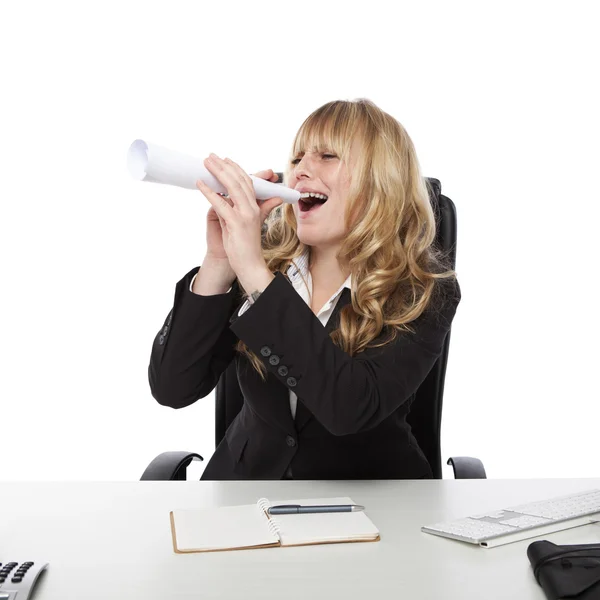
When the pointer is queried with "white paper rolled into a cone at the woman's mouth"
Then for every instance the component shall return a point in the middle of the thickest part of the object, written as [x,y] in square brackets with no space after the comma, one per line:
[149,162]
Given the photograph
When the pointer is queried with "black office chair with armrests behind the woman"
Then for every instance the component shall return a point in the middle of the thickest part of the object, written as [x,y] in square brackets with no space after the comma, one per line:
[425,416]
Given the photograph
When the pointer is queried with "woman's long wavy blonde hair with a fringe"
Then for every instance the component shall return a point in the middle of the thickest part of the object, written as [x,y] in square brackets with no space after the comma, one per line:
[389,248]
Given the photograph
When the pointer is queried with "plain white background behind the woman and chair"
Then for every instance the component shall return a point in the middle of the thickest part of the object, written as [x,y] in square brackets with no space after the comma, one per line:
[501,101]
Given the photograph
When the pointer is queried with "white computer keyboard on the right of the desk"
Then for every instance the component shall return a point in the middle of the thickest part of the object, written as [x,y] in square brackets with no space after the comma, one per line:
[497,527]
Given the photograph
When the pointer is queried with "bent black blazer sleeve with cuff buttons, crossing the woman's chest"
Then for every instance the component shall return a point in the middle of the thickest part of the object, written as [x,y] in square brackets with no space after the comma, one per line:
[346,394]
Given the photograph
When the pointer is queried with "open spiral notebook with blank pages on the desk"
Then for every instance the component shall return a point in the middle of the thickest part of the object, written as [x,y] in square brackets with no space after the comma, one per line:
[250,526]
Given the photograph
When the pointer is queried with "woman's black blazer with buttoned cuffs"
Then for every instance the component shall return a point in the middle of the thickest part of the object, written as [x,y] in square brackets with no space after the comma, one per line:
[351,413]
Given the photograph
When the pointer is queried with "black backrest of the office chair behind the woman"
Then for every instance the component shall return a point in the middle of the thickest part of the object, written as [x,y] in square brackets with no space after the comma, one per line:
[425,415]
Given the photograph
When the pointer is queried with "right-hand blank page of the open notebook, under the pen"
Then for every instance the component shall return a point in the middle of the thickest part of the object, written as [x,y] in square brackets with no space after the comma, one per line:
[296,530]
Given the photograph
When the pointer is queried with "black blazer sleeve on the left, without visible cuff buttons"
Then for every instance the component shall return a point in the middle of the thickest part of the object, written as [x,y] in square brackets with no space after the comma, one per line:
[194,346]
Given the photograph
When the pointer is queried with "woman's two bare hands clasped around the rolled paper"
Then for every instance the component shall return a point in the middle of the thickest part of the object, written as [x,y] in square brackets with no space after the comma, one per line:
[233,228]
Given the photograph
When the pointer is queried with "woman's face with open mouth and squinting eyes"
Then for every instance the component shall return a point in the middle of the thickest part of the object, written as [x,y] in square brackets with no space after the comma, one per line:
[324,173]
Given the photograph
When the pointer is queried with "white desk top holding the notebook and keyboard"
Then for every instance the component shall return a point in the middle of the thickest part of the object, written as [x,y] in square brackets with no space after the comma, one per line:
[112,541]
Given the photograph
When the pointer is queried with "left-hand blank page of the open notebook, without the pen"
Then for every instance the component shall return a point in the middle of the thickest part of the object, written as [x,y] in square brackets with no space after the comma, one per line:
[224,528]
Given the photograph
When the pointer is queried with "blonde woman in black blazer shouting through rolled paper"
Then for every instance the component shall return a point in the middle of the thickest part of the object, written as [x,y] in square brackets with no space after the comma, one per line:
[345,307]
